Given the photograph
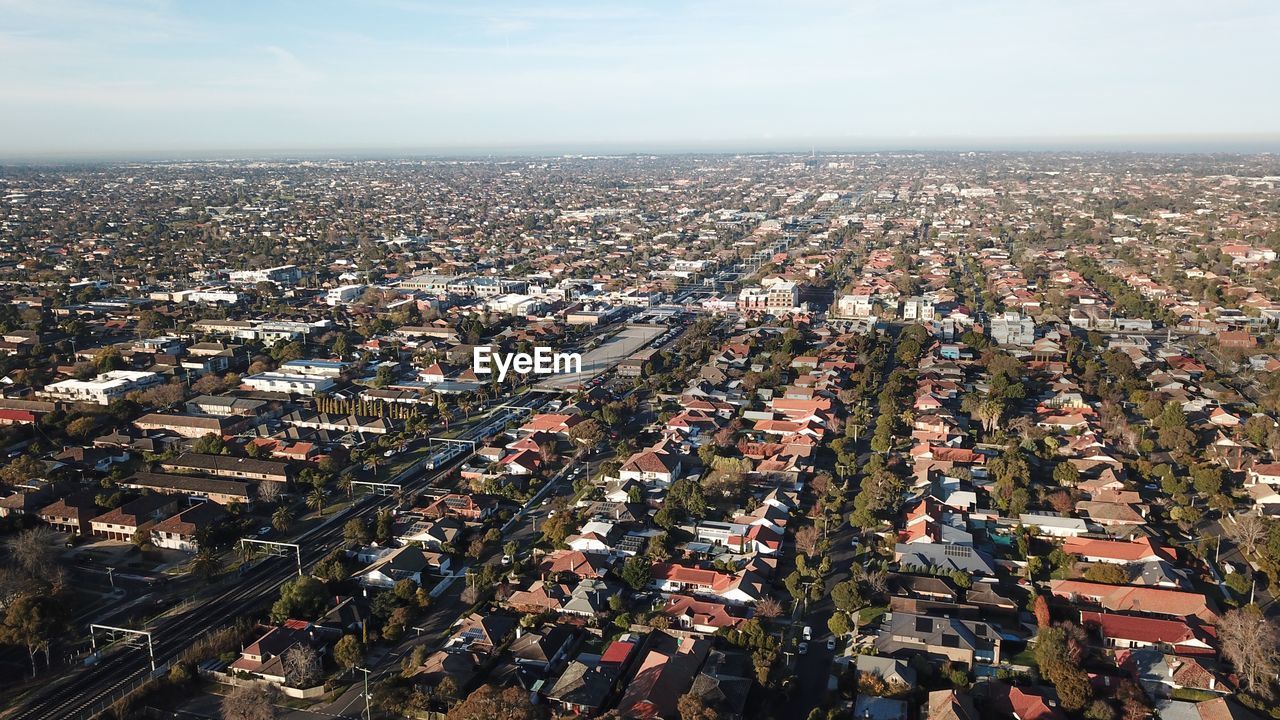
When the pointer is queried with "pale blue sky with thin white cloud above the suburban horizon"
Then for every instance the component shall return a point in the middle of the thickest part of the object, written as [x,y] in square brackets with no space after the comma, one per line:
[138,78]
